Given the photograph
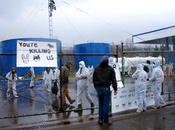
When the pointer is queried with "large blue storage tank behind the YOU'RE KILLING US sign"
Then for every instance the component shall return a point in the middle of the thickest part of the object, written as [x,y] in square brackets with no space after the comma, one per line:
[8,55]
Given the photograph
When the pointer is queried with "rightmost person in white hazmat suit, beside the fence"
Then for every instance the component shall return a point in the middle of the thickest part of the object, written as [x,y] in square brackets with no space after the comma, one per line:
[157,79]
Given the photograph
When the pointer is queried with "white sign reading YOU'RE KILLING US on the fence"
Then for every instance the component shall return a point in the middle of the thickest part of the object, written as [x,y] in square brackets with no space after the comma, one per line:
[36,54]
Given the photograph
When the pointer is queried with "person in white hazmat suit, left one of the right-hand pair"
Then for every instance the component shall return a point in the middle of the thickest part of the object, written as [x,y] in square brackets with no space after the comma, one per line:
[140,77]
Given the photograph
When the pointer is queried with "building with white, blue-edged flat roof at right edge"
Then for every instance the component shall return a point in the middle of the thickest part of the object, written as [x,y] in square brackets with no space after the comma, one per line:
[164,37]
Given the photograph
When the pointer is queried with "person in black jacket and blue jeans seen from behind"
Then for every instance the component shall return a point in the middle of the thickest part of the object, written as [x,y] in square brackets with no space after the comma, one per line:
[103,77]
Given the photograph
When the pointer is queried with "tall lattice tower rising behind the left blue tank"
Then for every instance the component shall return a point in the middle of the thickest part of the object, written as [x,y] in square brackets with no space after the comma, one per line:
[51,7]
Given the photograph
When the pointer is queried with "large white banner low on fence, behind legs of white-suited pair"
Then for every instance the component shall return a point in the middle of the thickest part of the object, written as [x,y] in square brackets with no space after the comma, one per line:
[126,99]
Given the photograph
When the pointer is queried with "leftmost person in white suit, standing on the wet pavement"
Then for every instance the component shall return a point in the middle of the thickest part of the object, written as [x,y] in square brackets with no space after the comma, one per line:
[12,78]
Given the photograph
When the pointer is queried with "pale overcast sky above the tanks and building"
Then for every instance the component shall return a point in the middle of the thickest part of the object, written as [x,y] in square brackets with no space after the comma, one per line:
[78,21]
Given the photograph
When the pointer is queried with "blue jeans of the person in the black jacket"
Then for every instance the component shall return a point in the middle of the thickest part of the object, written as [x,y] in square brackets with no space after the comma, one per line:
[104,101]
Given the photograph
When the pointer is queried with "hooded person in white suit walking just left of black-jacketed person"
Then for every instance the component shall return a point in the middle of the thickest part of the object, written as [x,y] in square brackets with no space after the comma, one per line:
[82,76]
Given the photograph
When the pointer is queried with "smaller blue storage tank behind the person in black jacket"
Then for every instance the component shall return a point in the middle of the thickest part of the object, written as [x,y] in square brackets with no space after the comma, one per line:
[91,48]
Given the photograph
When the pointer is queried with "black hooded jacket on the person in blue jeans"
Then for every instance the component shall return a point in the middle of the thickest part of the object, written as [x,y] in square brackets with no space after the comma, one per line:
[104,75]
